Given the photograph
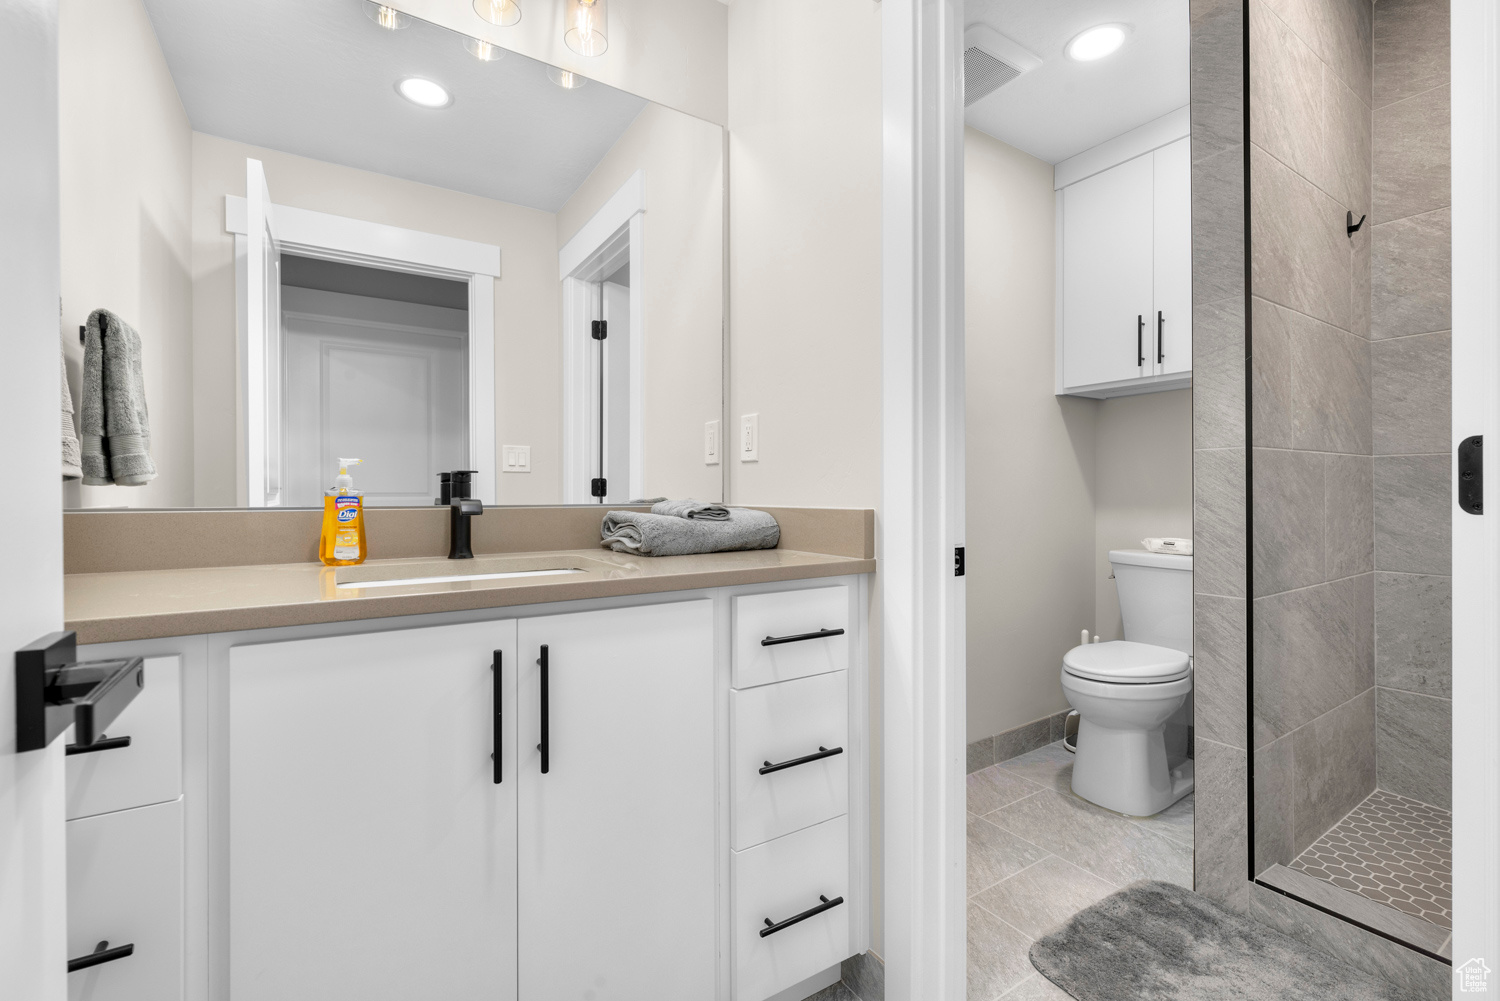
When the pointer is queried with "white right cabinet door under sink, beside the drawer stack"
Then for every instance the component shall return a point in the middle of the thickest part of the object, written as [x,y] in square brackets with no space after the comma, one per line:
[617,847]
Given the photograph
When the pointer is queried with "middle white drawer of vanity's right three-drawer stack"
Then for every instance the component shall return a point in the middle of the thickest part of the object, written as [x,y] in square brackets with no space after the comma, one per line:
[779,724]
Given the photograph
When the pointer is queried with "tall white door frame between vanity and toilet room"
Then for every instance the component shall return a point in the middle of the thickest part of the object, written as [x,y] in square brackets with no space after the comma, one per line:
[923,502]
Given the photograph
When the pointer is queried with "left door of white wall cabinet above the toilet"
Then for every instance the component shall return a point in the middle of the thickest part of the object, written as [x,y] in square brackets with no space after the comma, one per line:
[1108,275]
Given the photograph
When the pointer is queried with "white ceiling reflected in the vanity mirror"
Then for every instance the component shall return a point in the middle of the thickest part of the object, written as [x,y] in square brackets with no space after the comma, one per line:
[317,79]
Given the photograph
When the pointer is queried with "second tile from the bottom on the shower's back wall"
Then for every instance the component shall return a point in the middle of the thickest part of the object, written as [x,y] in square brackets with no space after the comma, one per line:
[1415,634]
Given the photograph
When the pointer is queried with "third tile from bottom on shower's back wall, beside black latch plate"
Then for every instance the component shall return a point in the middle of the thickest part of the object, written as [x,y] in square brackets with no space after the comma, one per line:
[1412,514]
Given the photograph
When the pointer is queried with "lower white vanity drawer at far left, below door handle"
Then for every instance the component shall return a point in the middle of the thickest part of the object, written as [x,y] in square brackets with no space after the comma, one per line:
[125,886]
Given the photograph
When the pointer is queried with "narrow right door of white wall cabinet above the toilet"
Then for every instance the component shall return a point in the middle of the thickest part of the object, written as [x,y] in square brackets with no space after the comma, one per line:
[1174,260]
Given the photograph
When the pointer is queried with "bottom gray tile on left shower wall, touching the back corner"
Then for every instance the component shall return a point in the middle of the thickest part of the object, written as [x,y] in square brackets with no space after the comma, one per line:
[1334,762]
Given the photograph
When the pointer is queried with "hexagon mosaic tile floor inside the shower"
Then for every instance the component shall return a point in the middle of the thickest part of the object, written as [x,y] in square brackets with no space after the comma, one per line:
[1393,850]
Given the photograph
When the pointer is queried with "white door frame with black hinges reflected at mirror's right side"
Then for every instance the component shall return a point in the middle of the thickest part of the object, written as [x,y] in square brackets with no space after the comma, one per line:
[617,227]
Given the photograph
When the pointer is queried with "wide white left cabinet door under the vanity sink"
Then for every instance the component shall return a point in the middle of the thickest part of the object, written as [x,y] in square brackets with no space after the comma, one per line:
[371,850]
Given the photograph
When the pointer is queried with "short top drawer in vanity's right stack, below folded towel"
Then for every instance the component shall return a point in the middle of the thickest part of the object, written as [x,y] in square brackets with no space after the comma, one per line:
[812,625]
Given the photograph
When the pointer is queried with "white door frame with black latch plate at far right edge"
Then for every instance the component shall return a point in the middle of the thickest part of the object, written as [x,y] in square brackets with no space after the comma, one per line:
[1477,540]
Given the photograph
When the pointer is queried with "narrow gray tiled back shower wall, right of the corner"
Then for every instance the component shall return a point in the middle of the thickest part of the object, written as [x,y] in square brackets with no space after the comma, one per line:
[1411,373]
